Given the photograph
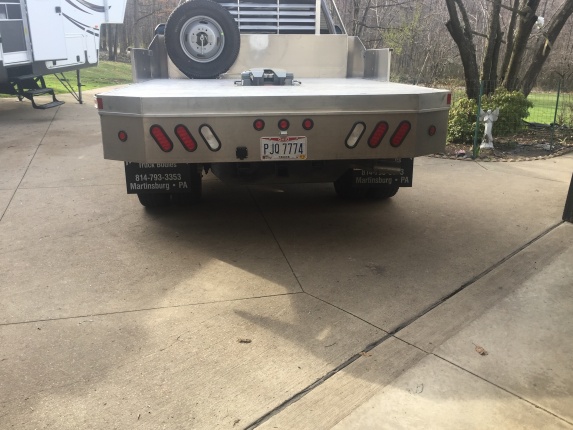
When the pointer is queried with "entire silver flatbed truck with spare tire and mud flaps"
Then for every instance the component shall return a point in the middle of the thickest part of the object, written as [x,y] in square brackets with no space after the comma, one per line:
[226,89]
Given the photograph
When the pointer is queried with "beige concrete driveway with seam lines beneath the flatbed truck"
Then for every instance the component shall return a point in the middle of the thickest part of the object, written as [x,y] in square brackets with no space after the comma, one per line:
[447,306]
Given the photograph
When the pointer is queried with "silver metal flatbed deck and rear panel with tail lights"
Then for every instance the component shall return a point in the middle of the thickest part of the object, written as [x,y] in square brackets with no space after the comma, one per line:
[187,121]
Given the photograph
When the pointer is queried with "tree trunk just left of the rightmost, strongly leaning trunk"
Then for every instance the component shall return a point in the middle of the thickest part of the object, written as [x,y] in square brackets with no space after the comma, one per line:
[525,25]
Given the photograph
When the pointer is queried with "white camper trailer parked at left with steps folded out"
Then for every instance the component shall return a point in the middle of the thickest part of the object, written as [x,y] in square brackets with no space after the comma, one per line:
[42,37]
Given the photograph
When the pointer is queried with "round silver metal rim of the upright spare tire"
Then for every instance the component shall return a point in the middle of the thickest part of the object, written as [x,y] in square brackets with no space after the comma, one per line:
[202,39]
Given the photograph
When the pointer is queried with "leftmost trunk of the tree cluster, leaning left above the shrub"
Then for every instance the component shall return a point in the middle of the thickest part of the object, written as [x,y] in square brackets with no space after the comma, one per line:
[464,40]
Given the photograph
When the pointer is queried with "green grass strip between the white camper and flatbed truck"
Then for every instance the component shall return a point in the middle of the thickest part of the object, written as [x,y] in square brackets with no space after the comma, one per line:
[105,74]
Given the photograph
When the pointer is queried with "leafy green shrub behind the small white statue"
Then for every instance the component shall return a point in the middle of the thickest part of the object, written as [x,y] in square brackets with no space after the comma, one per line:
[513,108]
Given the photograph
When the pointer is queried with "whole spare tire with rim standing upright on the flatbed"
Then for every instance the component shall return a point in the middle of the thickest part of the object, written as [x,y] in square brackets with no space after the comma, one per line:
[202,39]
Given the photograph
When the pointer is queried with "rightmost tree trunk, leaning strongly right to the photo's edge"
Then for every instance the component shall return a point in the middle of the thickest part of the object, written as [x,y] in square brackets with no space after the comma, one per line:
[544,46]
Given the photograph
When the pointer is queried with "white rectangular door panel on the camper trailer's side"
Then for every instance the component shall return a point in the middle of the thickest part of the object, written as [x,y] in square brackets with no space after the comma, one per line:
[46,25]
